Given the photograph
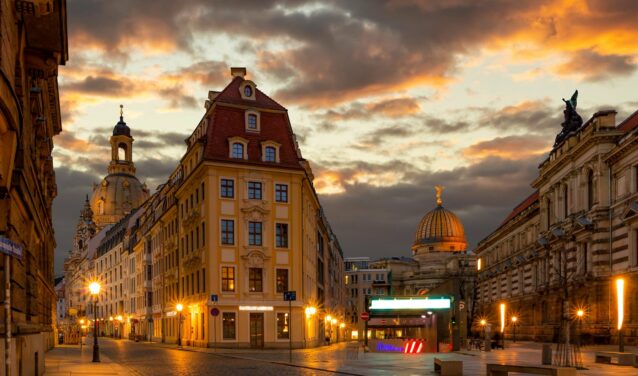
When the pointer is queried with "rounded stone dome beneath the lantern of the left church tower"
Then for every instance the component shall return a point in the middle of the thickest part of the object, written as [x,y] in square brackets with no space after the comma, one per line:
[117,195]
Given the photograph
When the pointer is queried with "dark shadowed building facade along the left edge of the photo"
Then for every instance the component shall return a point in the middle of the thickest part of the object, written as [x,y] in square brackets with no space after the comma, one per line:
[34,44]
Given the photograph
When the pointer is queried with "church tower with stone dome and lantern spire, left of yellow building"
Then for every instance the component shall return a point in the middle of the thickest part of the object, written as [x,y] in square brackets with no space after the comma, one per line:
[120,191]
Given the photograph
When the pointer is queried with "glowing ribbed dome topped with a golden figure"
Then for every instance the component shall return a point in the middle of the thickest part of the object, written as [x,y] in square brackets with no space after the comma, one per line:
[440,230]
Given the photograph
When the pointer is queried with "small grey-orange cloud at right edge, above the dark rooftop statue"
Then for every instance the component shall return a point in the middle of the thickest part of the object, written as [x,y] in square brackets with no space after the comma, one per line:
[593,66]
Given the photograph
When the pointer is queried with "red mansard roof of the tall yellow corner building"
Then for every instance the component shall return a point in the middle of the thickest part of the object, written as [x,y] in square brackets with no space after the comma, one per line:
[225,122]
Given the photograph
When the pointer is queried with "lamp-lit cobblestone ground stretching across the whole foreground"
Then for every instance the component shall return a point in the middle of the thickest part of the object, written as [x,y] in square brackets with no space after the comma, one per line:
[125,357]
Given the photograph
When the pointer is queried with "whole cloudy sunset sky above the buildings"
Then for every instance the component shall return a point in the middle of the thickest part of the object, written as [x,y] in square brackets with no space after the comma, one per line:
[387,98]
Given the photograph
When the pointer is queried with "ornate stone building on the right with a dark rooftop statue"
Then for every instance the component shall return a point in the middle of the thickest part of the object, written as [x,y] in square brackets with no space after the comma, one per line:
[563,247]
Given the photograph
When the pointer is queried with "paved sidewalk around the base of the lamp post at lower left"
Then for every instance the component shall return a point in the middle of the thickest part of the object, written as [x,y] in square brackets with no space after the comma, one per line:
[67,360]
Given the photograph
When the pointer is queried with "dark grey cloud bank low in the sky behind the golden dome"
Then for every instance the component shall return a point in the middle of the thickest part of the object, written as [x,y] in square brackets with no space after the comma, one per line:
[481,195]
